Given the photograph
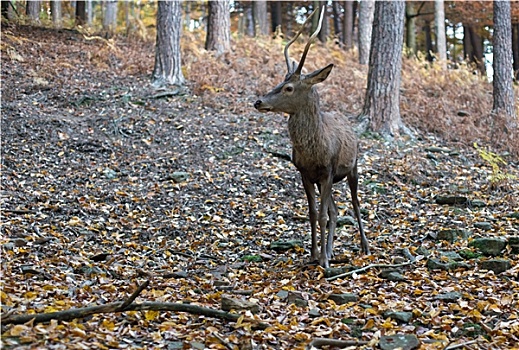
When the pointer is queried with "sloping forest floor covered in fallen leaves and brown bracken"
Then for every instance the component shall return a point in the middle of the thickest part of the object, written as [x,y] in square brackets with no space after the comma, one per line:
[106,186]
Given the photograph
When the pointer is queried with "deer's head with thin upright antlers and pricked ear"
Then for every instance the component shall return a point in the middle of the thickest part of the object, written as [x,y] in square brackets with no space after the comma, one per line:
[295,89]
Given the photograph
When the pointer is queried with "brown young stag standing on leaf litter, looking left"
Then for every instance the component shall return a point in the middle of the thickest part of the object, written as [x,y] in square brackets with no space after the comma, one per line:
[324,146]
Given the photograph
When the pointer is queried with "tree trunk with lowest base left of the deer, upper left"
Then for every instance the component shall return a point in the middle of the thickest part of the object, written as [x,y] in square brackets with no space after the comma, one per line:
[168,69]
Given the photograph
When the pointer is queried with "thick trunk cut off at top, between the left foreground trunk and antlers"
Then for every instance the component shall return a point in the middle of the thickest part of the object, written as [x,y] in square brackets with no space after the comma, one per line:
[219,27]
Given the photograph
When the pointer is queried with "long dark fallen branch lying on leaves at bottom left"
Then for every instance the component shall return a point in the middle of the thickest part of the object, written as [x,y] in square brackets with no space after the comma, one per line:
[68,315]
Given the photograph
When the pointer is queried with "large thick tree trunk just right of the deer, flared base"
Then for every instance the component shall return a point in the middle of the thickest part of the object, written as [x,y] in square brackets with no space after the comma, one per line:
[382,102]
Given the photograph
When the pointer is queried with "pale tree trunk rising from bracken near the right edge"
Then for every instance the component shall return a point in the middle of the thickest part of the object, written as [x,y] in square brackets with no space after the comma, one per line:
[504,103]
